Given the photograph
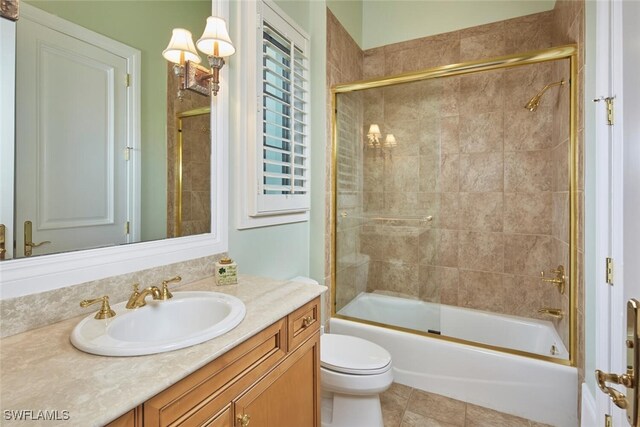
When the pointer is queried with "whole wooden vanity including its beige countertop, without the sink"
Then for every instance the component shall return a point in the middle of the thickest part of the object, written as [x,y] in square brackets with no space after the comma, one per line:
[265,372]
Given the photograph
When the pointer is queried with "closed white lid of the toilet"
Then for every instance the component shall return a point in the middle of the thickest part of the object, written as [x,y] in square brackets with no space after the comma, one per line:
[352,355]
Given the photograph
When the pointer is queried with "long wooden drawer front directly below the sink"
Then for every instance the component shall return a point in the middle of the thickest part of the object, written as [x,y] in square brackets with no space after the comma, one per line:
[191,401]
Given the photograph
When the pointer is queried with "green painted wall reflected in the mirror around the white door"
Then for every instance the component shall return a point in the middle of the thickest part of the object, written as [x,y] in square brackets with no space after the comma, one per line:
[144,25]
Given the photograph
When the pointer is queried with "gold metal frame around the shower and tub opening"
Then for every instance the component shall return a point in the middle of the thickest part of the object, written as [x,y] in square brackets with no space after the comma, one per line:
[567,52]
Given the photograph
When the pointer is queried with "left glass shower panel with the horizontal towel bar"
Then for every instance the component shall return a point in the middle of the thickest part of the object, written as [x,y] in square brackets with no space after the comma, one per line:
[392,172]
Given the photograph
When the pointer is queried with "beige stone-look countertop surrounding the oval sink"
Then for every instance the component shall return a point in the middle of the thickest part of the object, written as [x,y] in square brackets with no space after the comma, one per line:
[40,369]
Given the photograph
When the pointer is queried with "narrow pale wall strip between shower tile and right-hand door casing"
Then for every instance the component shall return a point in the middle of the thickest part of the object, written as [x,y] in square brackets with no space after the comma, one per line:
[590,118]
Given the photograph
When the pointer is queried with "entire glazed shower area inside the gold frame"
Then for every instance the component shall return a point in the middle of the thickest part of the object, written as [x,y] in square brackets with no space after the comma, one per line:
[453,206]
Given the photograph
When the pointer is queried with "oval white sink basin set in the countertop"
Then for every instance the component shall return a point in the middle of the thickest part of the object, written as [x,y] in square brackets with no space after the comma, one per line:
[187,319]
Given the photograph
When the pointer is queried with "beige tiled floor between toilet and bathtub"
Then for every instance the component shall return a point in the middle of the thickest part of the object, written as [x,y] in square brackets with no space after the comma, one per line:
[404,406]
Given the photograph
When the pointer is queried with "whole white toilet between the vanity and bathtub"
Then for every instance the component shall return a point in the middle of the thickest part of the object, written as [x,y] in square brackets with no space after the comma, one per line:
[353,372]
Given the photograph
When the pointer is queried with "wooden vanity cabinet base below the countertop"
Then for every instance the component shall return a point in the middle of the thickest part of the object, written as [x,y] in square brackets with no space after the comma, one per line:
[270,380]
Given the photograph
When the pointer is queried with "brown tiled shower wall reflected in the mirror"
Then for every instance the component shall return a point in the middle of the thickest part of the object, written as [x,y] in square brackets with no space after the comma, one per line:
[196,162]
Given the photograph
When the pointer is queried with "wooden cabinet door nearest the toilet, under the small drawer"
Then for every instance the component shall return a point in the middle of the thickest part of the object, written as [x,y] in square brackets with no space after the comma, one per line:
[289,396]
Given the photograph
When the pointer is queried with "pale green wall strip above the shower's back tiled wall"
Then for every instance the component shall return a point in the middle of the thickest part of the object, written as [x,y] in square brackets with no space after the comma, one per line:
[386,22]
